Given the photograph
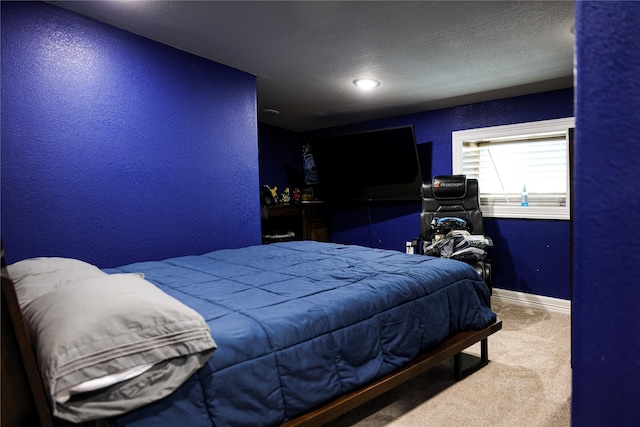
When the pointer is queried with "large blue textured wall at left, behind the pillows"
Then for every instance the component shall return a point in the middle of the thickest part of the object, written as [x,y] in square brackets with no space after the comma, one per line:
[116,148]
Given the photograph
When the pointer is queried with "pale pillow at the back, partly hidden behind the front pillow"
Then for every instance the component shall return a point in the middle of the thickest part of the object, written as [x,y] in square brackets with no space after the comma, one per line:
[34,277]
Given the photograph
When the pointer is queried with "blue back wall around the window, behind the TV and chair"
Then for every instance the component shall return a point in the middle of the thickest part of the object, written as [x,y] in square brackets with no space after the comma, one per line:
[531,256]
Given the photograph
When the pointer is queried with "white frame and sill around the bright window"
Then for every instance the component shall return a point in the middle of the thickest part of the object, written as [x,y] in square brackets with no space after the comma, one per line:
[529,212]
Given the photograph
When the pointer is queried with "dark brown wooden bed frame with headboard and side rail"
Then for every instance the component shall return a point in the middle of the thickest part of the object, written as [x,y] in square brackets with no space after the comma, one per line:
[24,401]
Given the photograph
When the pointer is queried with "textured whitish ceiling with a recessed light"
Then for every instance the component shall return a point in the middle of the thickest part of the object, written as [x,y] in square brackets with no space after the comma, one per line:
[426,54]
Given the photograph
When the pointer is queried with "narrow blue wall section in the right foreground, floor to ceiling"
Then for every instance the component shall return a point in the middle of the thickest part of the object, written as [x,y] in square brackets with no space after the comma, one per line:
[606,294]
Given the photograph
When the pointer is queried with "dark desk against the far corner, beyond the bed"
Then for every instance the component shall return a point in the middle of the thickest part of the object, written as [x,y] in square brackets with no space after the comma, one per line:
[308,220]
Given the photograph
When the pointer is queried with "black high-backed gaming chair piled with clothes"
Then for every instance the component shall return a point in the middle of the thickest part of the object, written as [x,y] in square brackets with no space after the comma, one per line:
[451,223]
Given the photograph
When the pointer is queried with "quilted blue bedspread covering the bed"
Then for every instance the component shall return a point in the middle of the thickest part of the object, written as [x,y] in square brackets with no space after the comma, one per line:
[299,323]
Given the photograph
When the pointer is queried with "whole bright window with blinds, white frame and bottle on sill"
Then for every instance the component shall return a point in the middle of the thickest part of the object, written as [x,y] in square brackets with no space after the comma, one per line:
[506,160]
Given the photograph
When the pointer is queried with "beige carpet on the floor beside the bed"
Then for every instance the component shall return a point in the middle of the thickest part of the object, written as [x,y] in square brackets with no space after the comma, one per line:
[526,383]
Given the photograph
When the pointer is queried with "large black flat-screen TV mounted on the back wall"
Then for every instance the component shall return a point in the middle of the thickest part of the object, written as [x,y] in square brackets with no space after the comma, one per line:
[380,165]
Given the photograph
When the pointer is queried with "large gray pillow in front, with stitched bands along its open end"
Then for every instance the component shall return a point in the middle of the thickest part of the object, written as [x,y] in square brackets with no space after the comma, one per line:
[108,324]
